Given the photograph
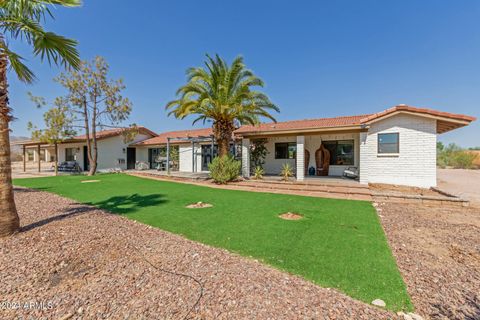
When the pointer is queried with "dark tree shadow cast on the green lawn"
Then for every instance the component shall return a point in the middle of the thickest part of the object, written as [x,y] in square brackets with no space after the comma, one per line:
[131,203]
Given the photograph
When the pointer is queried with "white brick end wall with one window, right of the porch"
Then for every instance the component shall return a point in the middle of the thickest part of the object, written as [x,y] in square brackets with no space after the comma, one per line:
[414,165]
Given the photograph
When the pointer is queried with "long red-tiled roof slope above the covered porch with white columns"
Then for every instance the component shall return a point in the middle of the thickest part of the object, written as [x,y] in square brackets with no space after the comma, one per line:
[303,125]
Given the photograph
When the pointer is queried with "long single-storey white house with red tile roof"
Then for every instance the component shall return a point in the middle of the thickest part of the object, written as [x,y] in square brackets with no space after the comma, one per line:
[395,146]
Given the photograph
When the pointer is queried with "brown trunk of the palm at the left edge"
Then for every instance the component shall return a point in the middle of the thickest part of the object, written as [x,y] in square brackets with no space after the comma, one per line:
[9,221]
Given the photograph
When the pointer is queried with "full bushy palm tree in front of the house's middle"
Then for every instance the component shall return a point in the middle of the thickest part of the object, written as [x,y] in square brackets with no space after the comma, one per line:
[222,94]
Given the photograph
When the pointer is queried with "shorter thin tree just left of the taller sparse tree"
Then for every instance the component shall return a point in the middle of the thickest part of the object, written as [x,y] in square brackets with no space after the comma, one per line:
[58,126]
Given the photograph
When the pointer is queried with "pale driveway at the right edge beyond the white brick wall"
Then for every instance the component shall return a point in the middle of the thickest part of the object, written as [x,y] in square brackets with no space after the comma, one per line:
[461,182]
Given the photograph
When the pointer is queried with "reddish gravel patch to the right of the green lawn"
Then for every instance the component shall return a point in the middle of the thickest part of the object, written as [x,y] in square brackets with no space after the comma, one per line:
[438,253]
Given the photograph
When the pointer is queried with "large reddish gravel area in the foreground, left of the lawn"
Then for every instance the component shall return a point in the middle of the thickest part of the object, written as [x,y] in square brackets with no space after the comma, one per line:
[76,262]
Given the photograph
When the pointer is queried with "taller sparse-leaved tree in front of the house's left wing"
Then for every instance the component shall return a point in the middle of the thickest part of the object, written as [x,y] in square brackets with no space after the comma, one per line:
[94,102]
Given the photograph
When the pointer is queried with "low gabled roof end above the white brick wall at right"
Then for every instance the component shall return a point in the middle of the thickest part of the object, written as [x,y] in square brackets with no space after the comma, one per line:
[445,121]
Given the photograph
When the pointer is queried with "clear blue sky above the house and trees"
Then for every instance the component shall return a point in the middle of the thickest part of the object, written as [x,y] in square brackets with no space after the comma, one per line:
[317,58]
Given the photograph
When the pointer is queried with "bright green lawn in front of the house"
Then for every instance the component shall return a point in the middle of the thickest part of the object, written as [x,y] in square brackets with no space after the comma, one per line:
[339,243]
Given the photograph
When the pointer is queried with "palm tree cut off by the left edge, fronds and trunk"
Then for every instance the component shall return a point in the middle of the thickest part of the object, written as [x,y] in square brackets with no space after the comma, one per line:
[21,20]
